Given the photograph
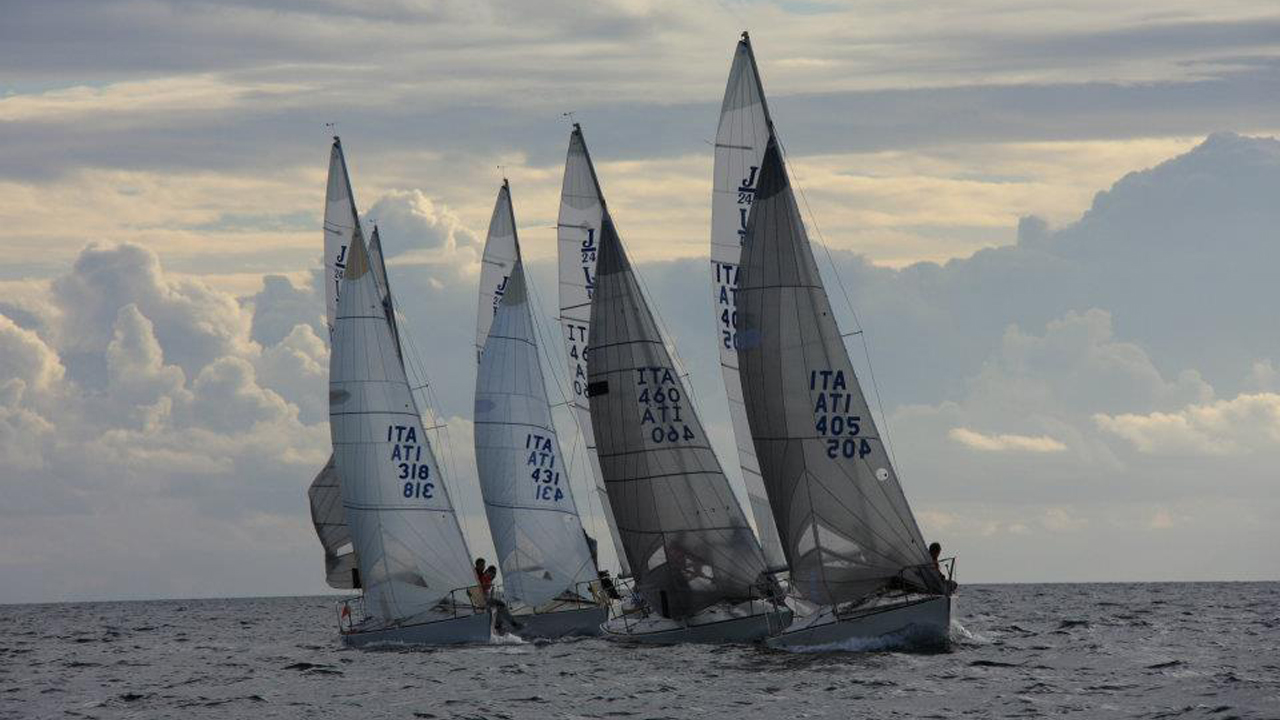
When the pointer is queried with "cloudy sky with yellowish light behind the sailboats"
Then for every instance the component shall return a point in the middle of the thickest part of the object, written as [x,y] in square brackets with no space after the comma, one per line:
[1055,224]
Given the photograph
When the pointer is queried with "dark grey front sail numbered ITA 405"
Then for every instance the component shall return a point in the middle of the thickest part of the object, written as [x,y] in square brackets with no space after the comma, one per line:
[845,525]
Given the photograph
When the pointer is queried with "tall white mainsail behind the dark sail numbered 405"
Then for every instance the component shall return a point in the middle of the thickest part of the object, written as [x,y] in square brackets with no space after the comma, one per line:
[740,140]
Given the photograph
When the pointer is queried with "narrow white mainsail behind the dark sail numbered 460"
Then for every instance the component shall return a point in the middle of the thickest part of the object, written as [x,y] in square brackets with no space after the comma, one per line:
[579,225]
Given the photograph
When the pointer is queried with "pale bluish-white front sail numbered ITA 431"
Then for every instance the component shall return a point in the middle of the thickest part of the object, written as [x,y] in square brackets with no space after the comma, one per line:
[524,480]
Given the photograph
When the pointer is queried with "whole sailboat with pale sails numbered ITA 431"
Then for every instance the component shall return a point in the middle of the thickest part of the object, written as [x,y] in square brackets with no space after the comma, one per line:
[547,566]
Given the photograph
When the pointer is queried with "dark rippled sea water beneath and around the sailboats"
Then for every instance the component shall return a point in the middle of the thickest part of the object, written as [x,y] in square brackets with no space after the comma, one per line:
[1160,651]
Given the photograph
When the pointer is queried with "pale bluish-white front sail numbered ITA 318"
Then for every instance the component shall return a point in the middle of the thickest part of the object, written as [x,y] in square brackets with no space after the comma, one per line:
[408,540]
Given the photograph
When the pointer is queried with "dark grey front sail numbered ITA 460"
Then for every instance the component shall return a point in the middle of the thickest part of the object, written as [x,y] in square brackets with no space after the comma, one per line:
[683,531]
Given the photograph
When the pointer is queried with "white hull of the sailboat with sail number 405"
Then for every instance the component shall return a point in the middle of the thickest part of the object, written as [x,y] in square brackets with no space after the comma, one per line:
[916,622]
